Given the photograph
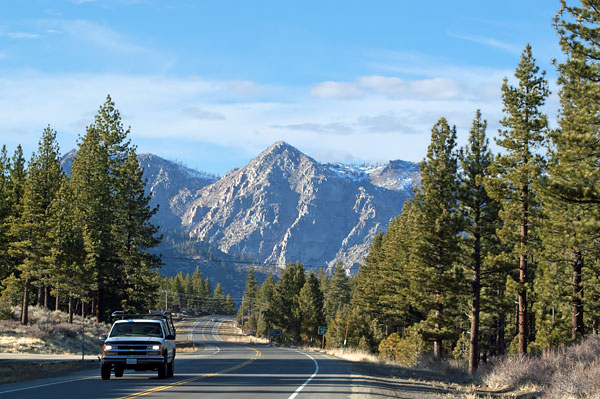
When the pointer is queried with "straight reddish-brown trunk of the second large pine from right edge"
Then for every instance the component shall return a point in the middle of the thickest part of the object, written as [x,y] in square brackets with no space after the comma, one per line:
[523,326]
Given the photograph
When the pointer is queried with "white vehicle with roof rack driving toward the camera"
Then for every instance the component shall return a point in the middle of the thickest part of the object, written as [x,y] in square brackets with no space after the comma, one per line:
[140,342]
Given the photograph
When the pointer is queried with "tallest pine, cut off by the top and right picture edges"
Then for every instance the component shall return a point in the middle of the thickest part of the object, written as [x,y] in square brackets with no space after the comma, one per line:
[572,194]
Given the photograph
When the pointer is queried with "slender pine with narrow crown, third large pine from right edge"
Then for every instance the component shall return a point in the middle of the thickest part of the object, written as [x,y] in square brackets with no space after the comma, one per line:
[480,215]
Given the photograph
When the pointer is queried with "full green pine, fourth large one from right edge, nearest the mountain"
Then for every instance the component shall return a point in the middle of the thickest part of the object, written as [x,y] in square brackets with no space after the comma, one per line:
[435,278]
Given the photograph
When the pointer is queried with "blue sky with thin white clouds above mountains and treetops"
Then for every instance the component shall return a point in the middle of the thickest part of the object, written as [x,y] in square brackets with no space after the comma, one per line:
[211,84]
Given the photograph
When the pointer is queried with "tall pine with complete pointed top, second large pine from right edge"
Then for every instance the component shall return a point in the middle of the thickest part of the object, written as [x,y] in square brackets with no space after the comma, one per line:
[517,173]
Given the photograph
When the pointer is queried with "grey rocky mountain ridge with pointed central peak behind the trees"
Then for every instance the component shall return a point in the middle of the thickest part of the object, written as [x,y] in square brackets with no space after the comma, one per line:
[282,207]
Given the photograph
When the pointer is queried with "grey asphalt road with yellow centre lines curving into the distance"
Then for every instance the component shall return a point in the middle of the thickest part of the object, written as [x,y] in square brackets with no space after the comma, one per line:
[222,370]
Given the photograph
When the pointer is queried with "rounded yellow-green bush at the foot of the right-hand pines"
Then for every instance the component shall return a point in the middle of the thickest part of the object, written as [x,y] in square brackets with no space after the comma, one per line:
[405,351]
